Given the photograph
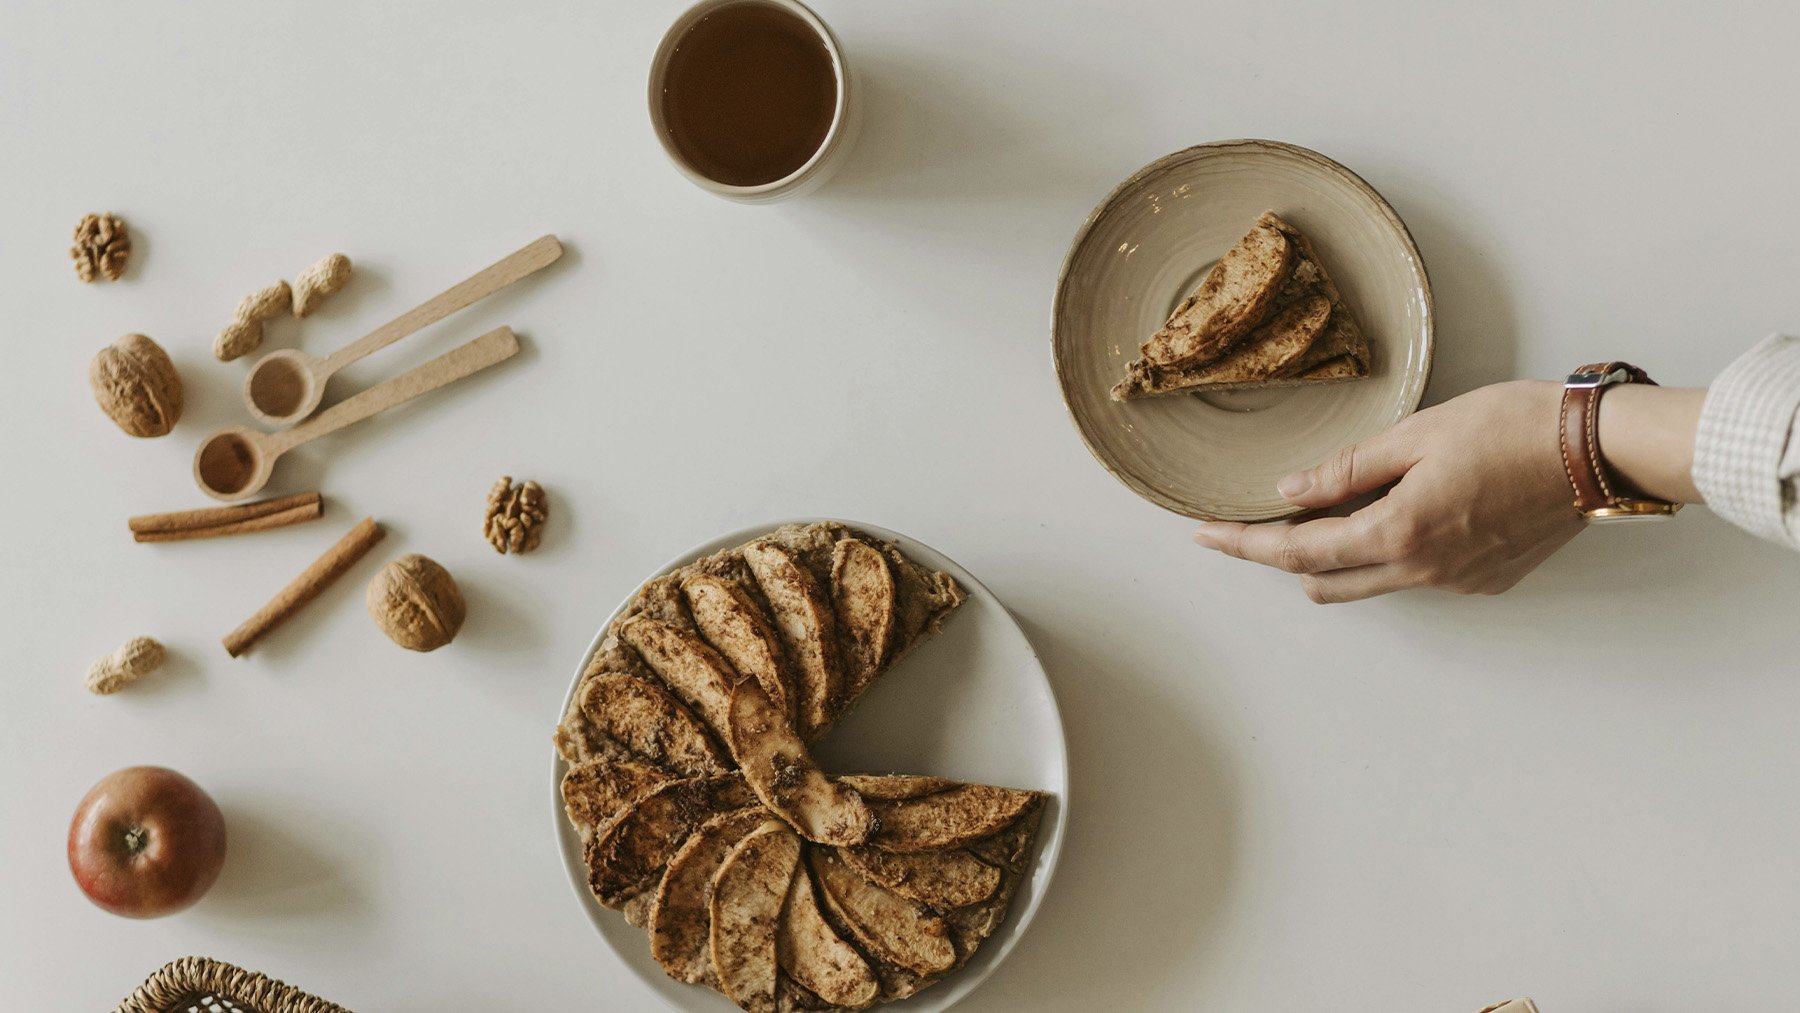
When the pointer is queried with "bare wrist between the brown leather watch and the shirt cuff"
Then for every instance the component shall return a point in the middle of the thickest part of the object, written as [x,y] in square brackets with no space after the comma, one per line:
[1648,438]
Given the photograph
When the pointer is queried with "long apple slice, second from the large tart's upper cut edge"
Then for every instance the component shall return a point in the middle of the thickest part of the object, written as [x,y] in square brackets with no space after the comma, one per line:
[807,629]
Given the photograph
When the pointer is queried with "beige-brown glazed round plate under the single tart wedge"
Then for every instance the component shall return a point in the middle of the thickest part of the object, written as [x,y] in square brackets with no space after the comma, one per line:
[1218,456]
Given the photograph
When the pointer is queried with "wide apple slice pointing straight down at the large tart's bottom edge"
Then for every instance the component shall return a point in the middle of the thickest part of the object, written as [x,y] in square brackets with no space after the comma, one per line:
[748,895]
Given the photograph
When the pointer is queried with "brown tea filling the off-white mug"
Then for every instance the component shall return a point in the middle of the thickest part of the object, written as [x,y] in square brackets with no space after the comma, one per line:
[750,94]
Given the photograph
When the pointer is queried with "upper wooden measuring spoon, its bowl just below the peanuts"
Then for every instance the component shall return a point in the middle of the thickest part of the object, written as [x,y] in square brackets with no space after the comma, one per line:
[285,386]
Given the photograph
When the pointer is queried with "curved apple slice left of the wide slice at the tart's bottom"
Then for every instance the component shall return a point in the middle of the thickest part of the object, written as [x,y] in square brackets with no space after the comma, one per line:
[681,919]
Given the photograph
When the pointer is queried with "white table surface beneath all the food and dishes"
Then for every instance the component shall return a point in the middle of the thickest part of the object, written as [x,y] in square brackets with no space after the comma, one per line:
[1581,791]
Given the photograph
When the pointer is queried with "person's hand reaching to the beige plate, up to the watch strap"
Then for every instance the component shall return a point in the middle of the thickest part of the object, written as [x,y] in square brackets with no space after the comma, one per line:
[1480,499]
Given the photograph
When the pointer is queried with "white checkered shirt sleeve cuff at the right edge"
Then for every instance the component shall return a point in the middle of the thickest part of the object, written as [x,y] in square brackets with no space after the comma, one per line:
[1747,460]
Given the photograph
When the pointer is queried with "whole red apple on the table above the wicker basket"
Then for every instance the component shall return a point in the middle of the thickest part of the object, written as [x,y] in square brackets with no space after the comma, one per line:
[147,843]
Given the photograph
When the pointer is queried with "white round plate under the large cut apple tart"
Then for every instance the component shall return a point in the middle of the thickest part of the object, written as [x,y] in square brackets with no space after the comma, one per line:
[971,703]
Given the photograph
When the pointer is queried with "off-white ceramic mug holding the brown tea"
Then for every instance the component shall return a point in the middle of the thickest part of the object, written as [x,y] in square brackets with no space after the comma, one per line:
[832,150]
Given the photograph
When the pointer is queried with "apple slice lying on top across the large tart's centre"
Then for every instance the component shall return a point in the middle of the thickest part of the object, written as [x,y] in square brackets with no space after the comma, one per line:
[784,776]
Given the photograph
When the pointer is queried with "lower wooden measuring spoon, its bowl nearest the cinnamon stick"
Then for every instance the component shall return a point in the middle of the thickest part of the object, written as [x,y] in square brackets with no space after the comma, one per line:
[237,462]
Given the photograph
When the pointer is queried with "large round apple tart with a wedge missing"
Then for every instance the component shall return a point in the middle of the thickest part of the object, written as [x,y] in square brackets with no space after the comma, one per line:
[706,821]
